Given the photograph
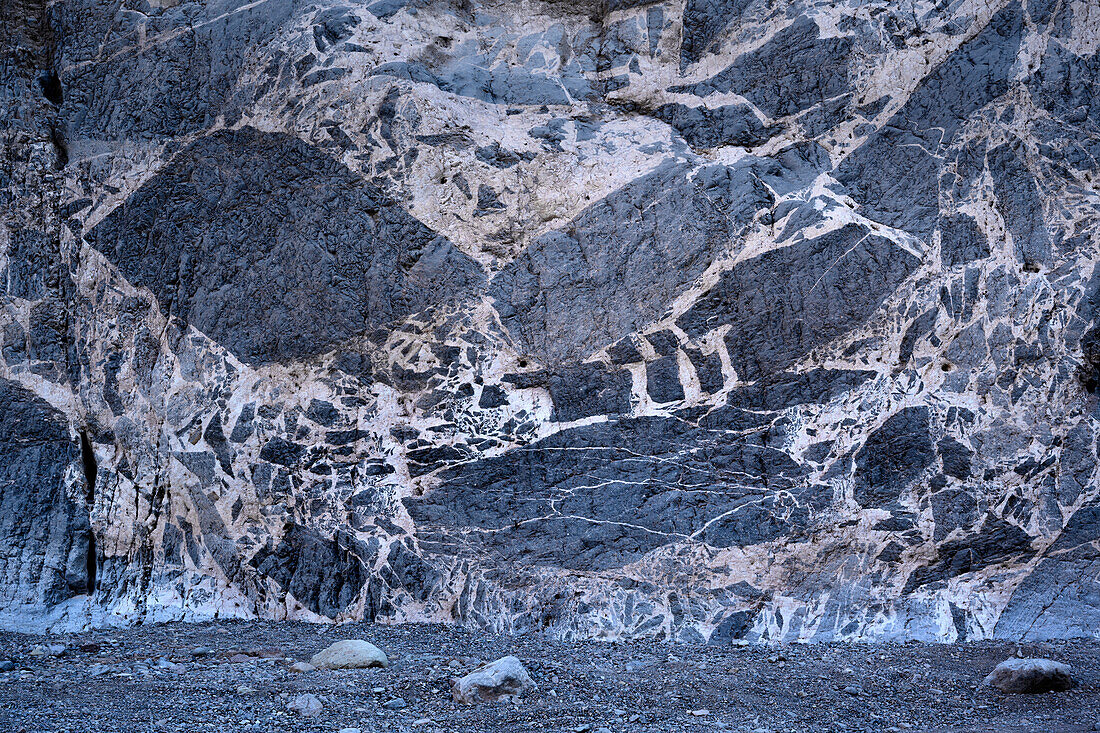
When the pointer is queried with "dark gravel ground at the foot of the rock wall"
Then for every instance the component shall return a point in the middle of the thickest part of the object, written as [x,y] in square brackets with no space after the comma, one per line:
[111,681]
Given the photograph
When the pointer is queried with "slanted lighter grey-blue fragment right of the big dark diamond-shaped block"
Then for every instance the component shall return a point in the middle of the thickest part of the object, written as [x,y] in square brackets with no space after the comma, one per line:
[571,292]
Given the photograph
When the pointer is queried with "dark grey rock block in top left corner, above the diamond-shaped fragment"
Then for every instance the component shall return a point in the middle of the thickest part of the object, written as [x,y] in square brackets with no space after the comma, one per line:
[183,87]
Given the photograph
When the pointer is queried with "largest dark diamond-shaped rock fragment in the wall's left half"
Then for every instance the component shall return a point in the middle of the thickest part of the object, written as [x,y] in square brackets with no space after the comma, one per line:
[246,248]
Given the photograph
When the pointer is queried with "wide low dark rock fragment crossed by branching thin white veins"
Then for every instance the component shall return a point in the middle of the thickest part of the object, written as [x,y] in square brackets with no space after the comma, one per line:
[599,496]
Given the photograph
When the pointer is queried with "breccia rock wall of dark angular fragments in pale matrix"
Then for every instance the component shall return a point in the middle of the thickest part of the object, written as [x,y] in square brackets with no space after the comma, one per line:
[696,320]
